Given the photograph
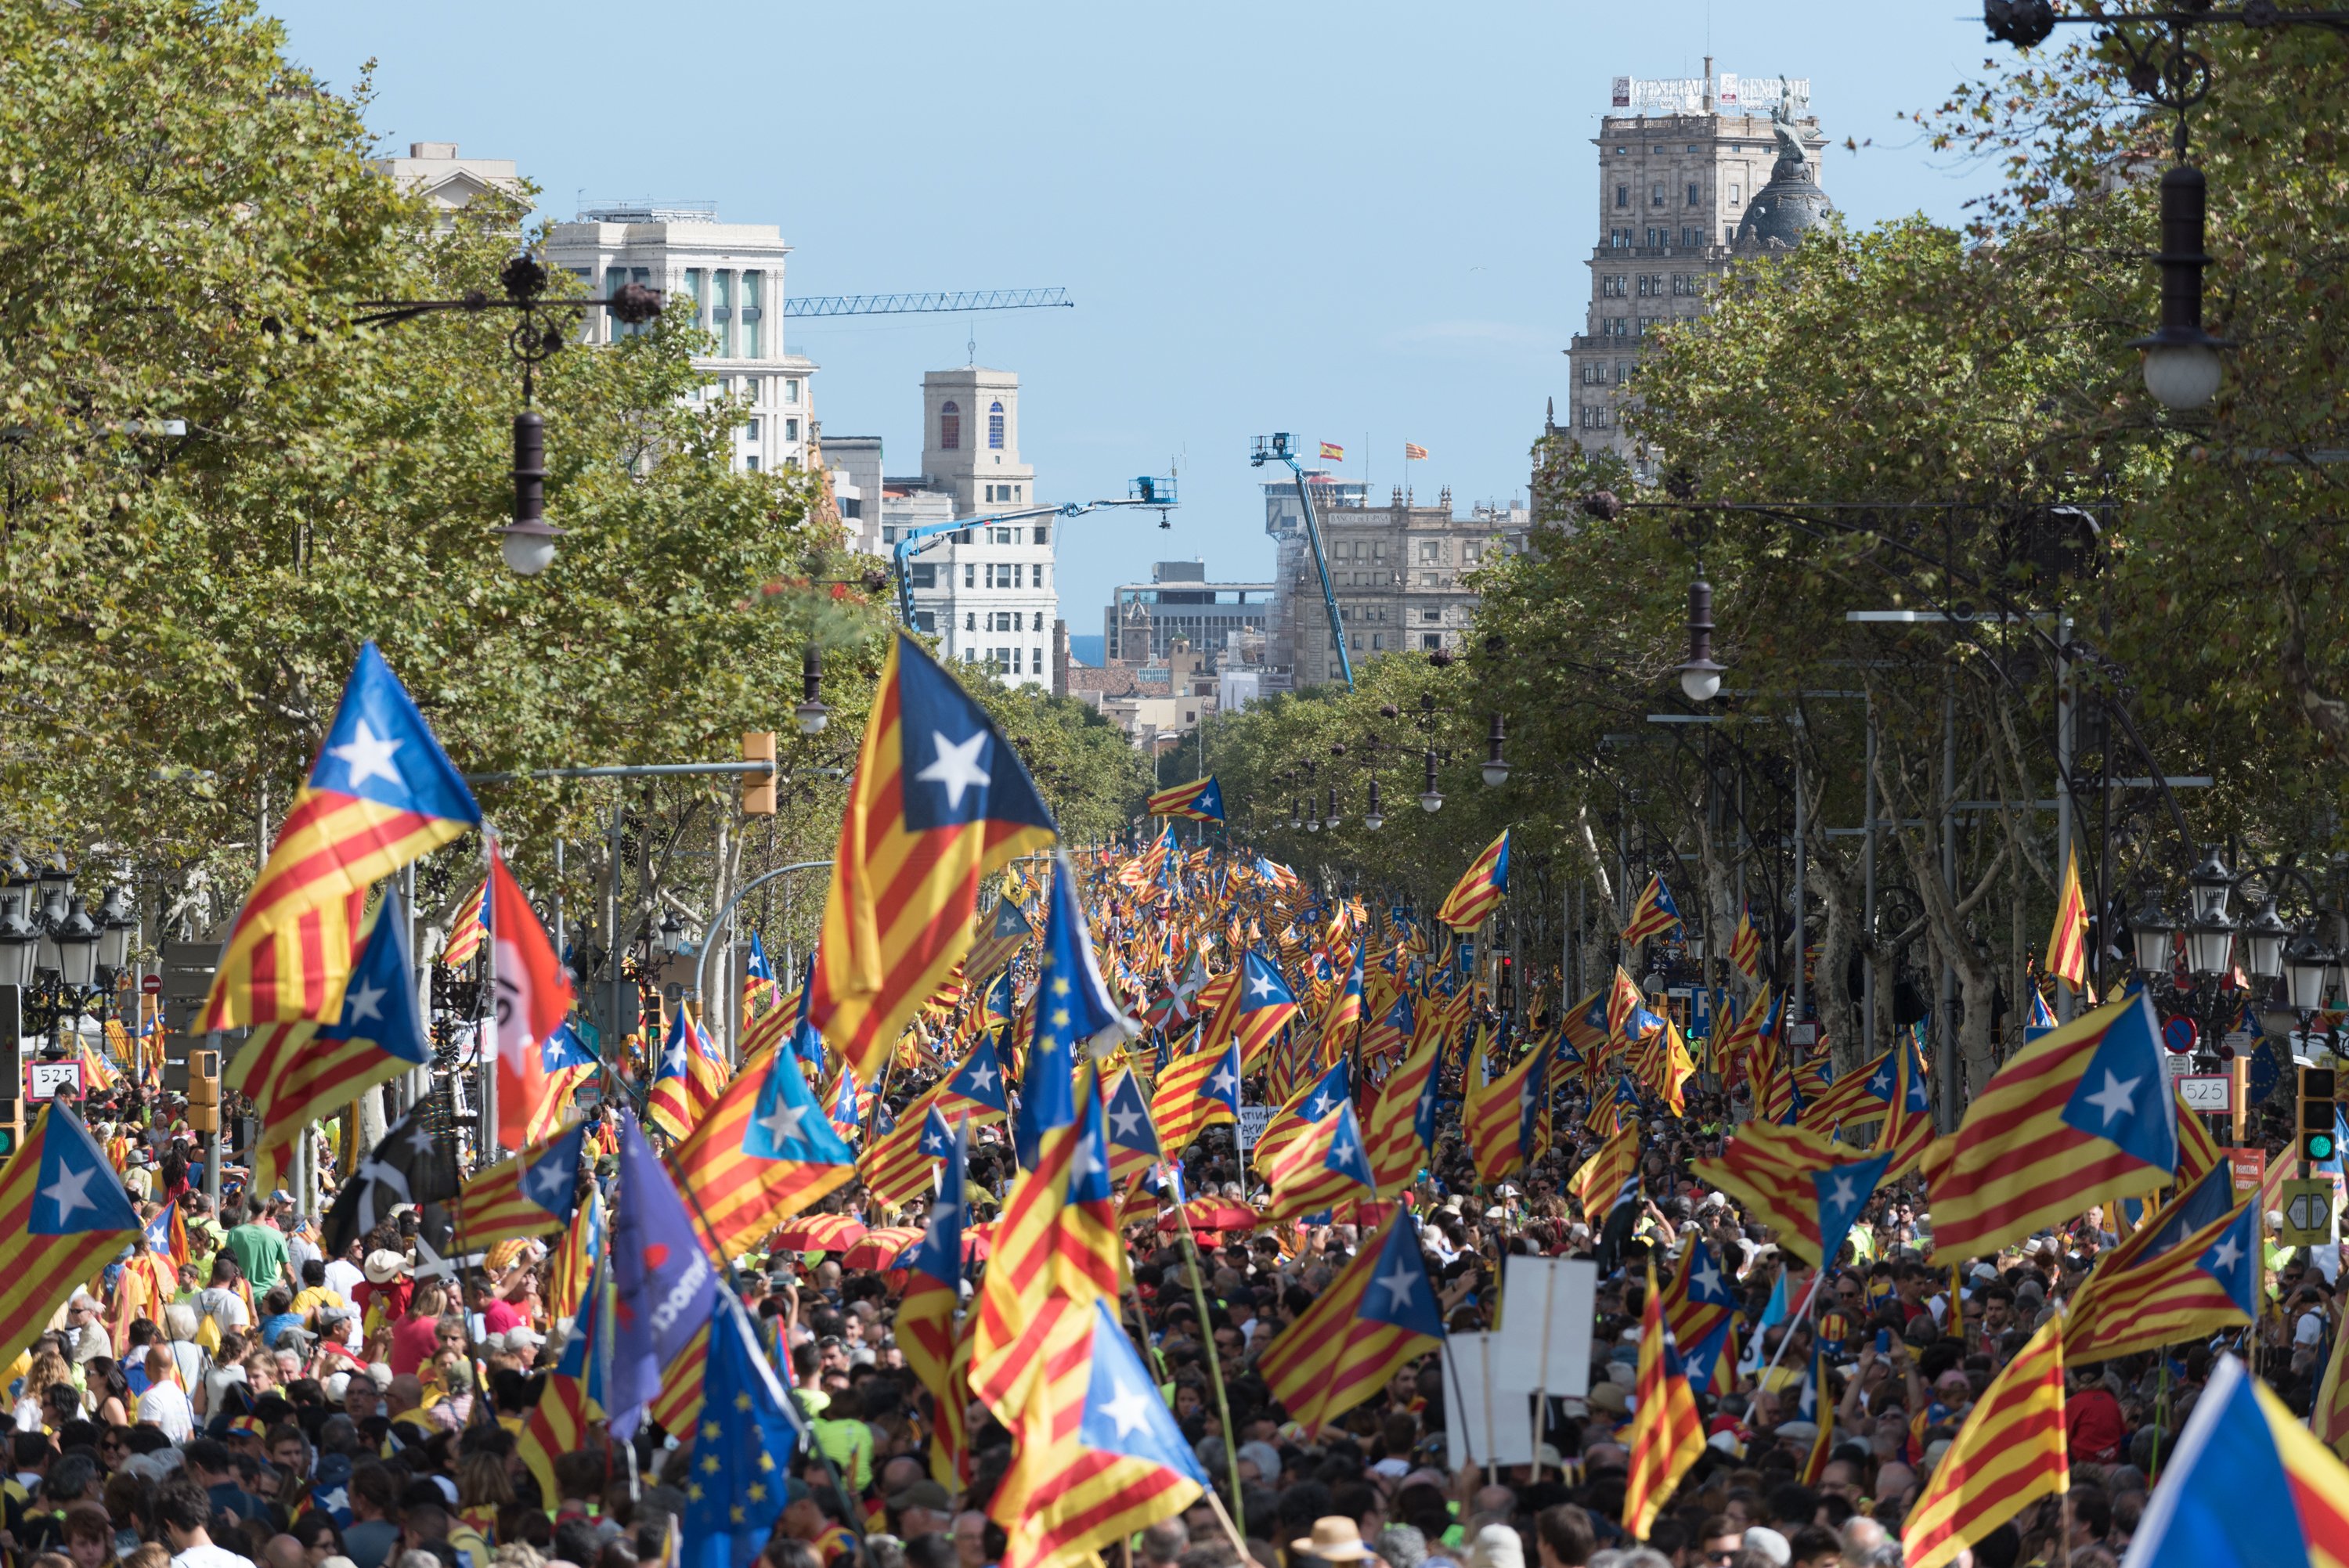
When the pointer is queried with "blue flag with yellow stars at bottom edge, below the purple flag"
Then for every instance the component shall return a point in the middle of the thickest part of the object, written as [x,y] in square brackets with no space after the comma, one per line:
[748,1428]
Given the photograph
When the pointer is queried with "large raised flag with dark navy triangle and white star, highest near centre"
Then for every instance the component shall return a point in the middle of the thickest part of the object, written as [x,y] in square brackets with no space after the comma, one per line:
[938,802]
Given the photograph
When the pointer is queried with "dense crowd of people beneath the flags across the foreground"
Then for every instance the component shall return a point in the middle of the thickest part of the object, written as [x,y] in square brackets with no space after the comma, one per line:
[274,1403]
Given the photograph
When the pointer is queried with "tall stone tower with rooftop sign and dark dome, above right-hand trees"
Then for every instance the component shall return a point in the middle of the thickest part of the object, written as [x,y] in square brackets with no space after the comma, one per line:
[1702,175]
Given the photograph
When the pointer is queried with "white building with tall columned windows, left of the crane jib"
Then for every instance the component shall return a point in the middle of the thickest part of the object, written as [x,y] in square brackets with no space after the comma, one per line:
[734,278]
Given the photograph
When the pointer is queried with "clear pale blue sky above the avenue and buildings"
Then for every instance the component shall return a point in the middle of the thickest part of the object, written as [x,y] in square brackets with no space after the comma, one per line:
[1357,222]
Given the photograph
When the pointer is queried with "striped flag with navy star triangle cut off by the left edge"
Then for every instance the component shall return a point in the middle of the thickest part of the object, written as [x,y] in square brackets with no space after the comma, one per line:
[65,1217]
